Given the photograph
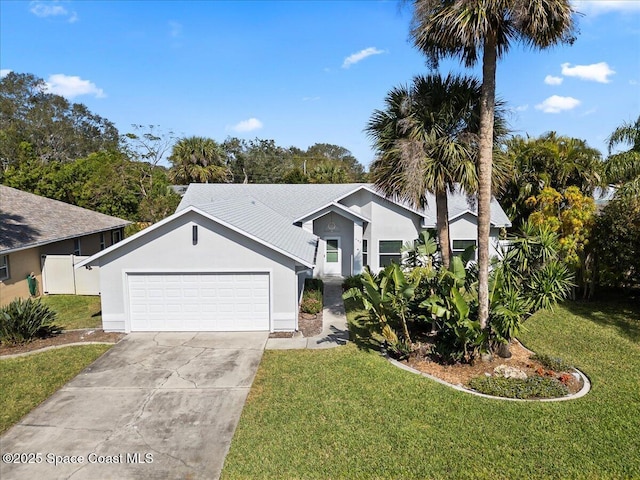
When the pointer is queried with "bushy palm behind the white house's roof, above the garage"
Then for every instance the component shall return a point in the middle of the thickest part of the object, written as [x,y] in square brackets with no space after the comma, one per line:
[198,159]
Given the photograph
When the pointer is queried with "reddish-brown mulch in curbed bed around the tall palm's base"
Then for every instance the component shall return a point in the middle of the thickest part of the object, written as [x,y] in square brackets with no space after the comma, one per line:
[460,374]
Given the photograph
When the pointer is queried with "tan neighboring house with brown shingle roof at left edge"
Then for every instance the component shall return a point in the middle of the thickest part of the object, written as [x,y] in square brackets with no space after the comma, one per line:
[32,227]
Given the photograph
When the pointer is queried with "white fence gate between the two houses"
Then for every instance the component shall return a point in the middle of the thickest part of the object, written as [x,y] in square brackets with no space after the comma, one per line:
[59,277]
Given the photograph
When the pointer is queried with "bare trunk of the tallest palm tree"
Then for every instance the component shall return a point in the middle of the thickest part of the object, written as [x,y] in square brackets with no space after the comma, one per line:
[484,167]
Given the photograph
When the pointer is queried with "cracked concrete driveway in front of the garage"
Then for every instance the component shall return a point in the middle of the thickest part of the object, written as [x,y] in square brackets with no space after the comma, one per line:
[157,405]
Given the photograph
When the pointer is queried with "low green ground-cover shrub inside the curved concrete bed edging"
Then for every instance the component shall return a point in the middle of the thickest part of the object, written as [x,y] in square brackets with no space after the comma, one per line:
[531,387]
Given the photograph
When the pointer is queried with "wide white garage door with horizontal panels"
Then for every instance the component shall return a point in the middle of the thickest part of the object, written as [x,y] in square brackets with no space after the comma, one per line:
[208,302]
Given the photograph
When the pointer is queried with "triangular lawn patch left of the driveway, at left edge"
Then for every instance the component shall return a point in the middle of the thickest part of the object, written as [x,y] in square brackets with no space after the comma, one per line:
[26,382]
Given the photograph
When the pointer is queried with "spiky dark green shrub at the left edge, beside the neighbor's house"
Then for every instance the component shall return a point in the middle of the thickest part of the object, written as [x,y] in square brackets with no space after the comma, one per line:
[24,320]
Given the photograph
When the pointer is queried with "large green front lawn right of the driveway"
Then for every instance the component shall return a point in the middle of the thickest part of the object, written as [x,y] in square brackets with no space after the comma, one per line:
[348,413]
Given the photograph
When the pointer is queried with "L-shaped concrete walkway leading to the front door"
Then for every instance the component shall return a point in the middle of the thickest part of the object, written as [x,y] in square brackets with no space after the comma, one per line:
[335,331]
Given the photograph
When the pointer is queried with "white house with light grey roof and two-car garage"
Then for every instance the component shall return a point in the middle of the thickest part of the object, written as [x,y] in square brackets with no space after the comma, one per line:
[234,257]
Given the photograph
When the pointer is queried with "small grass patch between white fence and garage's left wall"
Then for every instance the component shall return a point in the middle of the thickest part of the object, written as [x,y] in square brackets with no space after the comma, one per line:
[75,311]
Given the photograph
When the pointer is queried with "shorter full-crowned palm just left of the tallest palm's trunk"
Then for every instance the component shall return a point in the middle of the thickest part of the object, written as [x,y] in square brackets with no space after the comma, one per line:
[426,141]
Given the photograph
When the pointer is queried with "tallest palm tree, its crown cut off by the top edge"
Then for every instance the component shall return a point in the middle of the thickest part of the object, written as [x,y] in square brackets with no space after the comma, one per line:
[468,29]
